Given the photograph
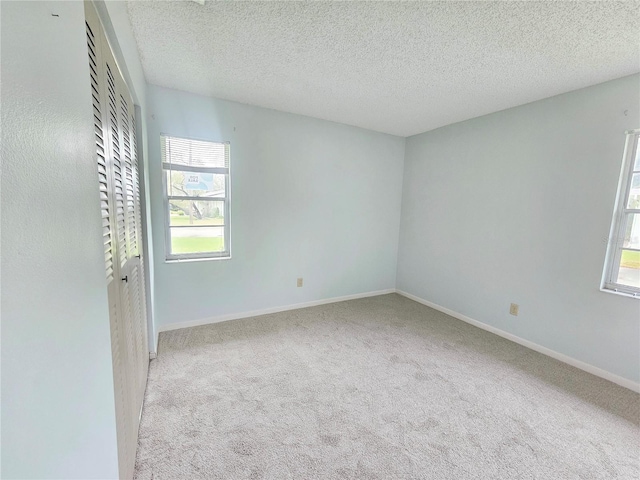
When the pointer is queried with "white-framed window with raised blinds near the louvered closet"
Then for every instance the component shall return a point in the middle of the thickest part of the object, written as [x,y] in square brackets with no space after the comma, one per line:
[196,193]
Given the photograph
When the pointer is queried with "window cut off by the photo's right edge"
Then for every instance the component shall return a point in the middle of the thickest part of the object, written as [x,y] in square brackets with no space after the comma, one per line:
[622,265]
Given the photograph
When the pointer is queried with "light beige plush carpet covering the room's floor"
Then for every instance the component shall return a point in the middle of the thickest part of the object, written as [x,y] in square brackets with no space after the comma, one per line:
[377,388]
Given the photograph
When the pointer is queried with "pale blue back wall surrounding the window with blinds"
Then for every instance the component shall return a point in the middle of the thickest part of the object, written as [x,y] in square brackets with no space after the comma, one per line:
[310,198]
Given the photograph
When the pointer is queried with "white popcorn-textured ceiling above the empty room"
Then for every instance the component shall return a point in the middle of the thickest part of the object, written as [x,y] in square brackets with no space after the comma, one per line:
[395,67]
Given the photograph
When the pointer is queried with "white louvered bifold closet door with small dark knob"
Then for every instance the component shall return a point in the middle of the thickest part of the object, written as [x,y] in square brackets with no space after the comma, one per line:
[114,122]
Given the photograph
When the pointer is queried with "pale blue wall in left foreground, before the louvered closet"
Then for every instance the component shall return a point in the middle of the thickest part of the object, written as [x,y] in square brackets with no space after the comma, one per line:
[58,414]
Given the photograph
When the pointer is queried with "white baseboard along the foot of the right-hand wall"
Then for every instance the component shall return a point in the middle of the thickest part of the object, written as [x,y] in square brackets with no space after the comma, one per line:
[599,372]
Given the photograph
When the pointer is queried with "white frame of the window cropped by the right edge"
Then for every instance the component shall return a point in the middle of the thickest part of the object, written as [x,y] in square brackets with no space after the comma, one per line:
[616,234]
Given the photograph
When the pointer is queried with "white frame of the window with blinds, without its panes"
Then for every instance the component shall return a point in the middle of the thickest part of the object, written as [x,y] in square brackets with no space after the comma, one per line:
[203,256]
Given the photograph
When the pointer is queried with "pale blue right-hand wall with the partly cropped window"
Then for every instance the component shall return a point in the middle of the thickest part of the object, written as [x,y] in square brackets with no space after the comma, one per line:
[516,207]
